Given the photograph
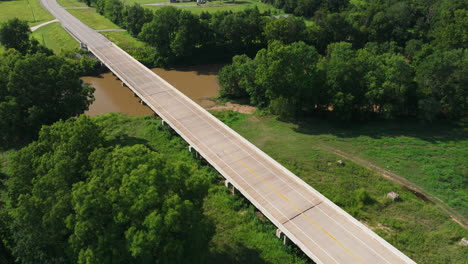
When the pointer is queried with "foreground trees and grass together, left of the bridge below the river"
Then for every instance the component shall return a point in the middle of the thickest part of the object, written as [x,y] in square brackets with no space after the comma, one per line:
[87,183]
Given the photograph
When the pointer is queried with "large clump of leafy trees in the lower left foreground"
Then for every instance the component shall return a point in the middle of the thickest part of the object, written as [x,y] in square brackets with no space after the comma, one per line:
[74,195]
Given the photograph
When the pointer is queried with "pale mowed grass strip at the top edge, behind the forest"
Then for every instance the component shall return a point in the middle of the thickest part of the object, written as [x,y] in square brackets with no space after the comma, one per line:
[214,6]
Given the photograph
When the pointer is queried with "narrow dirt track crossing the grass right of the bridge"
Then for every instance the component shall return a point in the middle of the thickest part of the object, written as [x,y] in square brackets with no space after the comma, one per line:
[418,191]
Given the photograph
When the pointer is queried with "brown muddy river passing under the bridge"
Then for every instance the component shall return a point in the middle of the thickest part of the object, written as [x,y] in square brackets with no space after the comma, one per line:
[199,83]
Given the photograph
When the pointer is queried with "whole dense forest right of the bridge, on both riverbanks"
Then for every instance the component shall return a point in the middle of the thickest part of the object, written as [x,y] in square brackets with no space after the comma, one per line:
[346,61]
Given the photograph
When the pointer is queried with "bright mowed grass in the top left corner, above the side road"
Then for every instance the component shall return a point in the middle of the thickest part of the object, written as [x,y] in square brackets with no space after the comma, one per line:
[28,10]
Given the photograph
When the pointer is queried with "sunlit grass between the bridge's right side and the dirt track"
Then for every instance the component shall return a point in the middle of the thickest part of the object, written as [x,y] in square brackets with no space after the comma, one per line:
[415,226]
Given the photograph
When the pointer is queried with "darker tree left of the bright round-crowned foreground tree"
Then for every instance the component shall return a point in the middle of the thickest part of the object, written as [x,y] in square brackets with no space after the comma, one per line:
[39,189]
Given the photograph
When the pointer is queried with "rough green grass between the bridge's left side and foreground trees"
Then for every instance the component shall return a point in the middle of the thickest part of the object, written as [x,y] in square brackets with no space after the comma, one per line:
[239,235]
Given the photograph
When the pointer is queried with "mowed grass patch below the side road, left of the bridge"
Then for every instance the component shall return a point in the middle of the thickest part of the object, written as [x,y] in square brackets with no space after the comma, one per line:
[54,37]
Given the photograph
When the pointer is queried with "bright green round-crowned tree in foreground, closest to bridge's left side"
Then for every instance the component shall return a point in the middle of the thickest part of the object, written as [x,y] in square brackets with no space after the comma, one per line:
[146,207]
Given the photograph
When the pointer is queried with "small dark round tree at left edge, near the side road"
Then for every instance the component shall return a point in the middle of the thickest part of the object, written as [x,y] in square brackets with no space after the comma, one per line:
[15,34]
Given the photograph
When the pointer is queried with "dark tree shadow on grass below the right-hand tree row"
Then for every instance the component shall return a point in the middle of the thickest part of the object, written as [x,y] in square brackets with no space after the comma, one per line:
[433,132]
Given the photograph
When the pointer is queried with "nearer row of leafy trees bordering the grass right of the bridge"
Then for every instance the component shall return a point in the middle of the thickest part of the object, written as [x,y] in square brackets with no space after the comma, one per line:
[348,84]
